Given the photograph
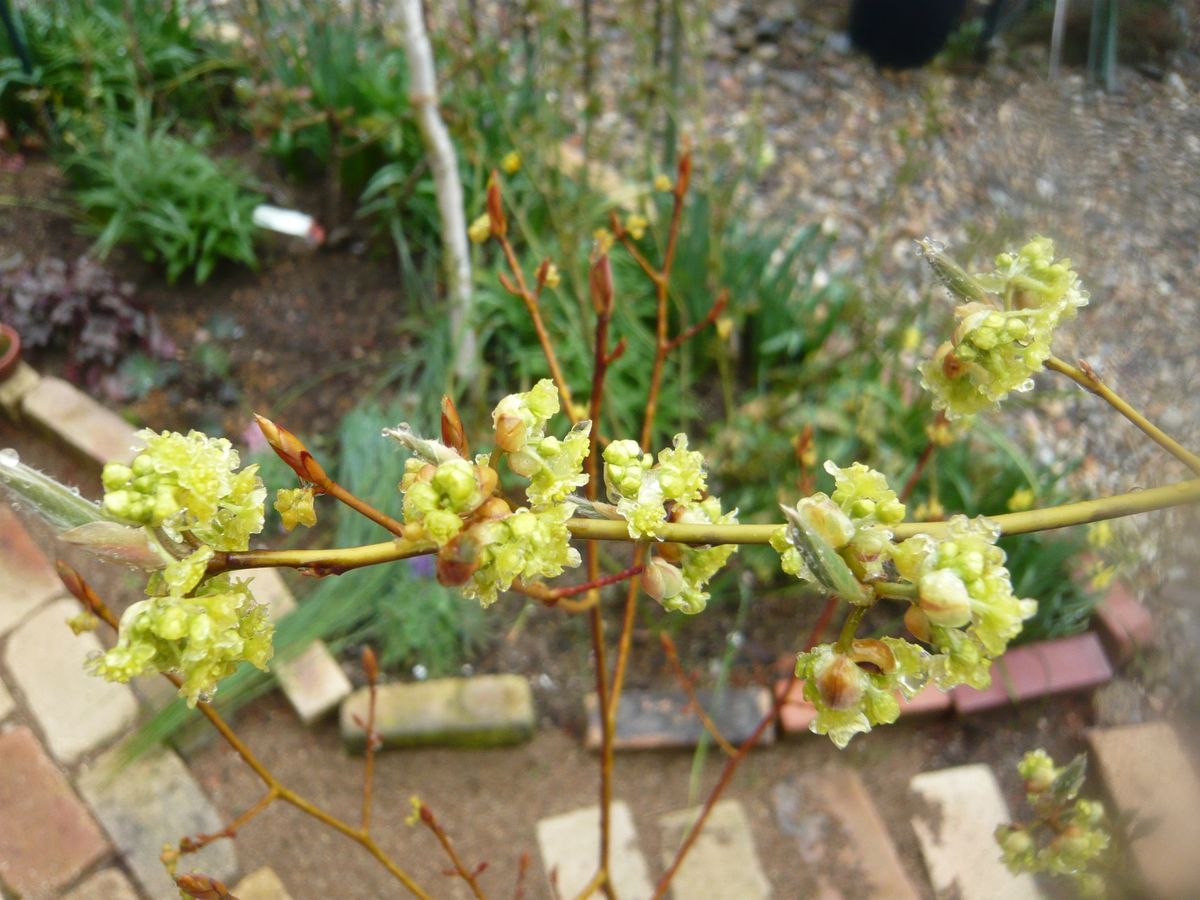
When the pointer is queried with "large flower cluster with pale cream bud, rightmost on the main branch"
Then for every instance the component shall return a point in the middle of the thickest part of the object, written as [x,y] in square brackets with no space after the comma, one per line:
[965,605]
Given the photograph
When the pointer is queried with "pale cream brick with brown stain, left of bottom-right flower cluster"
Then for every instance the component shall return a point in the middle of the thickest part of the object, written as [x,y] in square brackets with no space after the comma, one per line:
[963,808]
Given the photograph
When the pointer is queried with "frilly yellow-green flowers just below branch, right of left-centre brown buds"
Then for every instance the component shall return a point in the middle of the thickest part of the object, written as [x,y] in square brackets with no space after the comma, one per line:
[527,545]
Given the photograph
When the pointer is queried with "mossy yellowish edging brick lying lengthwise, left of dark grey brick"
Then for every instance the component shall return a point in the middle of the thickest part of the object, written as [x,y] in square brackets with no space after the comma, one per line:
[488,711]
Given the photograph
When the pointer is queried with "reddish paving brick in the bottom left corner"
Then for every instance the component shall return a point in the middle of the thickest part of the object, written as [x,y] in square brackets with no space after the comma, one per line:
[46,836]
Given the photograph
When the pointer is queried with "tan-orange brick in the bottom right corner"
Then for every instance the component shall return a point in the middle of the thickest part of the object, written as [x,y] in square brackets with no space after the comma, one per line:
[1149,776]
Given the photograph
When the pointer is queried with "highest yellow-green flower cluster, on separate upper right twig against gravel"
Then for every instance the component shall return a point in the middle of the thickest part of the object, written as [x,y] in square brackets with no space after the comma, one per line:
[1005,328]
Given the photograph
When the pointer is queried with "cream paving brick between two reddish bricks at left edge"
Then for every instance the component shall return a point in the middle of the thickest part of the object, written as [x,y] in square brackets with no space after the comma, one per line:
[77,712]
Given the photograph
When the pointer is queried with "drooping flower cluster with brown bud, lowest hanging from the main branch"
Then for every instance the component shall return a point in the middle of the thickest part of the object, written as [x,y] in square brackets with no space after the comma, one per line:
[856,688]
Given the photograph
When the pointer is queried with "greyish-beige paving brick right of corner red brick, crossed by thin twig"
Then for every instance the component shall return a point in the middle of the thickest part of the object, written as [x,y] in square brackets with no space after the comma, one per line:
[152,802]
